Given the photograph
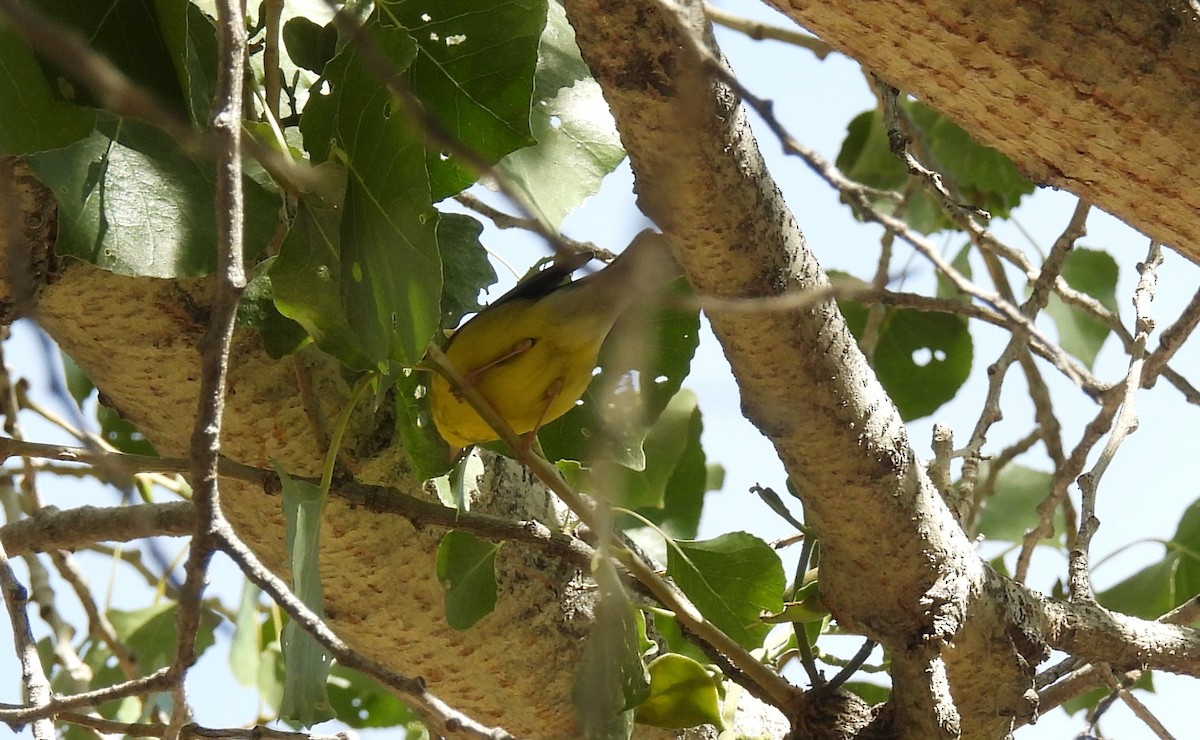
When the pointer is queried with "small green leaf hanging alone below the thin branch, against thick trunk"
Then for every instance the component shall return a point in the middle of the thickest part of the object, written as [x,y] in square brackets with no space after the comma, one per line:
[467,571]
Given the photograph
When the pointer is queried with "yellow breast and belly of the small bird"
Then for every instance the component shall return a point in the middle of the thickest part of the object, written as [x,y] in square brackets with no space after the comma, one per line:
[531,360]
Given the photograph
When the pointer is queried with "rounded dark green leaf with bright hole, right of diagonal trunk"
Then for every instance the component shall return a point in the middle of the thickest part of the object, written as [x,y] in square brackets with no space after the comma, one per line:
[922,358]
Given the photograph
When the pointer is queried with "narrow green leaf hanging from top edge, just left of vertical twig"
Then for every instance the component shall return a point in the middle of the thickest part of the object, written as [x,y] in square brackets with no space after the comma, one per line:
[191,41]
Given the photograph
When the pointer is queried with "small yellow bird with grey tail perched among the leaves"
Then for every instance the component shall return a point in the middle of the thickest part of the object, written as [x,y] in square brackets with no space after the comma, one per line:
[532,352]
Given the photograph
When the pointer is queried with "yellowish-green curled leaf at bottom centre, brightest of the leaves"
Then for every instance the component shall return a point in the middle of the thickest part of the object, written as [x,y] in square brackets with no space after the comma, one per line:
[683,695]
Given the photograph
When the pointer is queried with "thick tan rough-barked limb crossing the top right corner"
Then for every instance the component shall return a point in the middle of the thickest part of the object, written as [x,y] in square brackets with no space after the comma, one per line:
[1100,98]
